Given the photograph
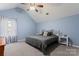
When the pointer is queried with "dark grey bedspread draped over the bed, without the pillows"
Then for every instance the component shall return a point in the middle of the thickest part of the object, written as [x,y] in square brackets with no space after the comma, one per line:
[41,42]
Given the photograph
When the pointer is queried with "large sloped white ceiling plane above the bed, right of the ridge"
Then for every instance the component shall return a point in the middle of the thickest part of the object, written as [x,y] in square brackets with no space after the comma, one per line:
[55,11]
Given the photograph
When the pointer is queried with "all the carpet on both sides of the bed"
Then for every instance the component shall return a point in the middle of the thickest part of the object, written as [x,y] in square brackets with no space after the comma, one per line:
[23,49]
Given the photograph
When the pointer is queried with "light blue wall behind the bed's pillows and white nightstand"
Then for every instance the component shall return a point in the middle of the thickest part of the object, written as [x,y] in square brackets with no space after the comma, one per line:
[68,25]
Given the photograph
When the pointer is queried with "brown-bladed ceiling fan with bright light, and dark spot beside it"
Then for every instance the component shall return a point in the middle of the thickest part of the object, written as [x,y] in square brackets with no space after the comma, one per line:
[37,7]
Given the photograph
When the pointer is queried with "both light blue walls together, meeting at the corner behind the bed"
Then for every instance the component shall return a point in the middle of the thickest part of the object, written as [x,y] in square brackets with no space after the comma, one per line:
[68,25]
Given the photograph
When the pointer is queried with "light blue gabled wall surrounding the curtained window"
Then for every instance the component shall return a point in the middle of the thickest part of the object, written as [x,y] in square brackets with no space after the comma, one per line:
[25,24]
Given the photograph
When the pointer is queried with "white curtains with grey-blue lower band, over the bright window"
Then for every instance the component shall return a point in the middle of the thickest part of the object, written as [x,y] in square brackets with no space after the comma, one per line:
[8,29]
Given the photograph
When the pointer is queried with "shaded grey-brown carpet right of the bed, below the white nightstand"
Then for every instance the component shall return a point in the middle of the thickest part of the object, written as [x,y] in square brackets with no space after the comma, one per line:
[63,50]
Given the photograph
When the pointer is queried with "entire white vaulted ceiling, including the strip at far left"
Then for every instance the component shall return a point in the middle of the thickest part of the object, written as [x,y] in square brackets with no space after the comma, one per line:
[54,10]
